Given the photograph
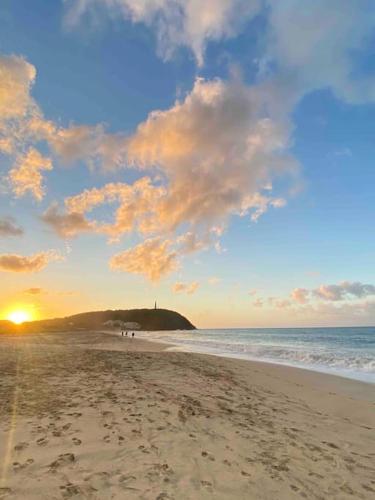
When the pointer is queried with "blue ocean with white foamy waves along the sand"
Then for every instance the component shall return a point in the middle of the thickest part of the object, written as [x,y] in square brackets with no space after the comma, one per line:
[347,352]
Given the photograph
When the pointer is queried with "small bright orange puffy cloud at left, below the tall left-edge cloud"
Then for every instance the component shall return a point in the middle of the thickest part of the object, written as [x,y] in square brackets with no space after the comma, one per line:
[25,176]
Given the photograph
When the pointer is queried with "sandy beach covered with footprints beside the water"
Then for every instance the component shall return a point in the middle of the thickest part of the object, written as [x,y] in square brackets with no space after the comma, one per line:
[95,415]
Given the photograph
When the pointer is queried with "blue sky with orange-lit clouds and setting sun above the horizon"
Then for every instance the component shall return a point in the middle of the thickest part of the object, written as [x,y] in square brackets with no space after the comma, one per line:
[217,157]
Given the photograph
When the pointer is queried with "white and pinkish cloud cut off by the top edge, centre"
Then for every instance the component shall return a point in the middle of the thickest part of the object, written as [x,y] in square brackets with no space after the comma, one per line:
[177,23]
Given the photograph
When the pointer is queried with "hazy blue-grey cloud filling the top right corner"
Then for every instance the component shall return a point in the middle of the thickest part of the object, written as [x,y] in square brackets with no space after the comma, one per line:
[317,45]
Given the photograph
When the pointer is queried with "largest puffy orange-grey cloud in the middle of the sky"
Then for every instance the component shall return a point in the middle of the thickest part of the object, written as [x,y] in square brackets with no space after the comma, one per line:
[218,152]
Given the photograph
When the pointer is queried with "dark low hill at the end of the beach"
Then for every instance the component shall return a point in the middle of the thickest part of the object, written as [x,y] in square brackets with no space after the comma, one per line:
[147,319]
